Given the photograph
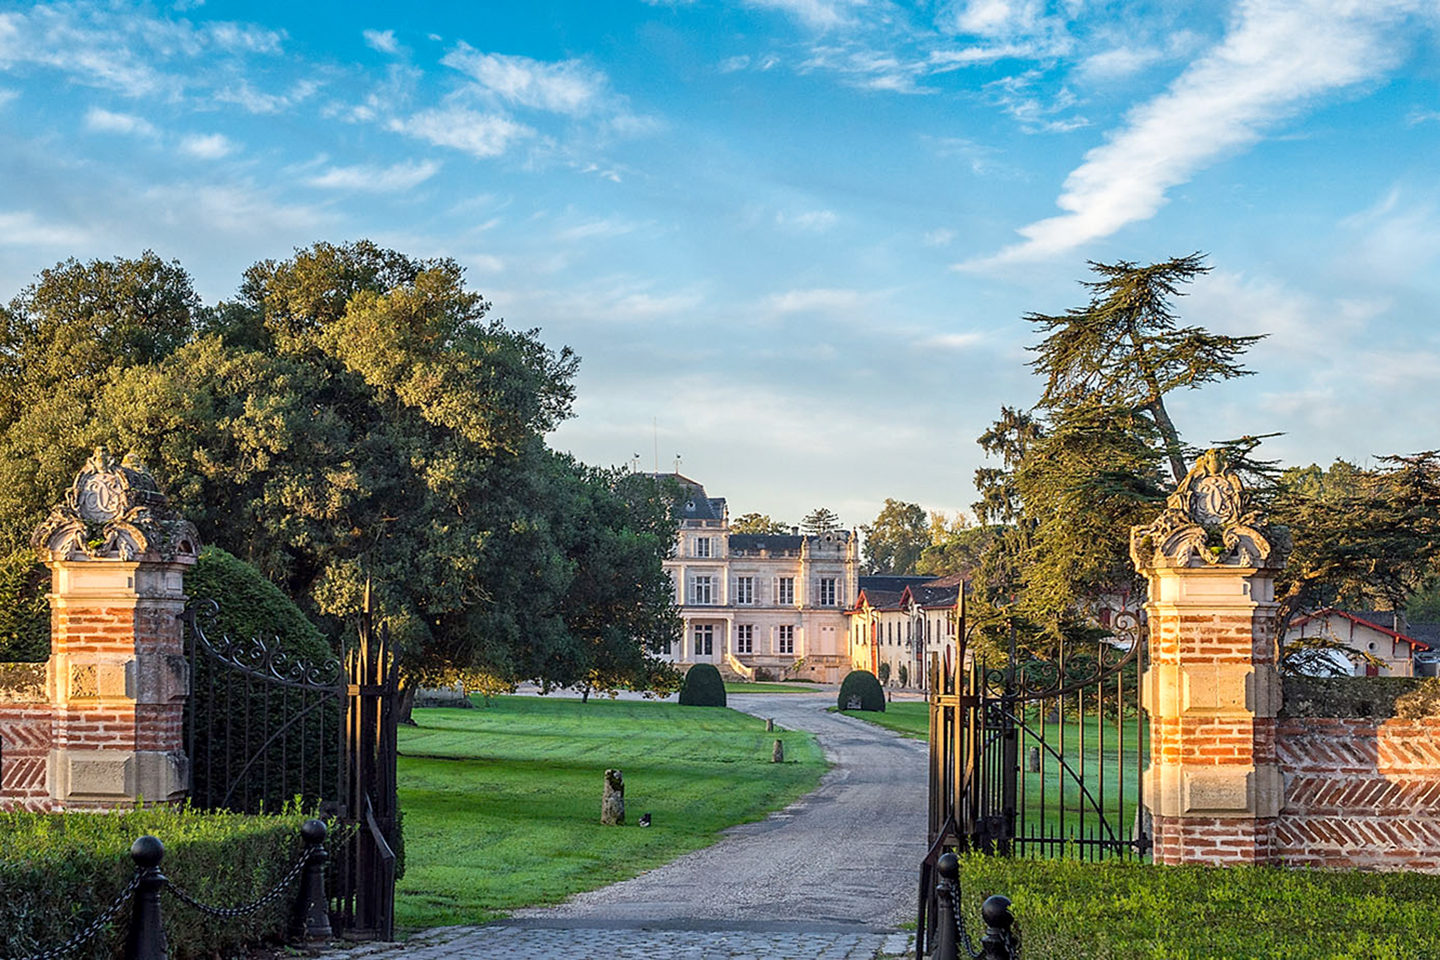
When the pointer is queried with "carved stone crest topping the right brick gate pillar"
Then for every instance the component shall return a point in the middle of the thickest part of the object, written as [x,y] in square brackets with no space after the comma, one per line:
[1209,522]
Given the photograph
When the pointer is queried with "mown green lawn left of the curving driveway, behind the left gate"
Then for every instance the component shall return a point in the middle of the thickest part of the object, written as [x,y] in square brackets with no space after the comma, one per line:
[502,805]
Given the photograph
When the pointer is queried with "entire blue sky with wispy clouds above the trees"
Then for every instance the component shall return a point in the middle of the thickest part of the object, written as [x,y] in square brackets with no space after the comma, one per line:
[793,241]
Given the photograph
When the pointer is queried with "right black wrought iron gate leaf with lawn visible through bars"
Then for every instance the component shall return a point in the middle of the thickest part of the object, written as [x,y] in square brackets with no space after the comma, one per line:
[1040,758]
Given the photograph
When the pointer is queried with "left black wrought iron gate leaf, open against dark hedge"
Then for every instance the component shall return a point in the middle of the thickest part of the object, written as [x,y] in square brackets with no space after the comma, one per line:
[274,730]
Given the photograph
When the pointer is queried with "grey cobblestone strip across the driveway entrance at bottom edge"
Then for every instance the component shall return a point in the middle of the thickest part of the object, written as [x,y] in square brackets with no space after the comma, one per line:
[529,942]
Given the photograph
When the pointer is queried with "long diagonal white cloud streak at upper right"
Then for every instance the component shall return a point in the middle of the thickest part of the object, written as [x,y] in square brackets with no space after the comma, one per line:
[1277,58]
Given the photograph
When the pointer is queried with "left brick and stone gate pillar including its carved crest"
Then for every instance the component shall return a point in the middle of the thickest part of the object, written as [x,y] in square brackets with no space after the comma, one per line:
[117,677]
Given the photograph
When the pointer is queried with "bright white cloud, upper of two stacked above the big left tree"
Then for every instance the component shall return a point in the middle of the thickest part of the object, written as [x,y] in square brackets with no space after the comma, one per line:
[564,87]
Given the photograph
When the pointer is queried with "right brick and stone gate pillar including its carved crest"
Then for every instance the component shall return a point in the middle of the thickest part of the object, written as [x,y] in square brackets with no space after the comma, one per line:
[1212,687]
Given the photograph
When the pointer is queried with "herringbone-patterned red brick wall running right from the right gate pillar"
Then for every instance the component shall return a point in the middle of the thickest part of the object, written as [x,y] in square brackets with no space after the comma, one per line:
[1360,792]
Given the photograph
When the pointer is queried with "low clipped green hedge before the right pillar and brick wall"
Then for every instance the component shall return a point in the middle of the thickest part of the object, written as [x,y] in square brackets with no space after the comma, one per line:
[1069,910]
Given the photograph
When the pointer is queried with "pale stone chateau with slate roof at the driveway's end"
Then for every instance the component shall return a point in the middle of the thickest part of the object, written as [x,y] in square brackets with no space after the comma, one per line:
[761,605]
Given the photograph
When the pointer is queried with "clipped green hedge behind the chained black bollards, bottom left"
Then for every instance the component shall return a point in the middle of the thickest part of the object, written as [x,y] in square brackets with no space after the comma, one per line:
[63,870]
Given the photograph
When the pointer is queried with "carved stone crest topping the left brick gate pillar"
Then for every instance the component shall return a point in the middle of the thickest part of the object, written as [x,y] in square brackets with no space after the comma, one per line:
[116,512]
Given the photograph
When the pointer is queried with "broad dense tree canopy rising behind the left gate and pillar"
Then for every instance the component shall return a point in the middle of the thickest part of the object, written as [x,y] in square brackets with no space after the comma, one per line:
[354,414]
